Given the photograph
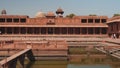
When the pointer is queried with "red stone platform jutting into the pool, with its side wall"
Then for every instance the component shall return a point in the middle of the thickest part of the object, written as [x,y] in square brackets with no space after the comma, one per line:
[44,49]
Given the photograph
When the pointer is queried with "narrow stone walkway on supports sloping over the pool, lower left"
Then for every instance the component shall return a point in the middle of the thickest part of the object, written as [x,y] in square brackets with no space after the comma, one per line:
[11,61]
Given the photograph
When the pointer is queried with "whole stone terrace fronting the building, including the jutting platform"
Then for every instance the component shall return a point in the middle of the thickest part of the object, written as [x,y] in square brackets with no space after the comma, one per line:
[53,46]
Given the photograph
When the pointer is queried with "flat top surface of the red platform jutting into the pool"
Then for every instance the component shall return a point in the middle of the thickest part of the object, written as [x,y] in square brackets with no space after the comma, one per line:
[41,45]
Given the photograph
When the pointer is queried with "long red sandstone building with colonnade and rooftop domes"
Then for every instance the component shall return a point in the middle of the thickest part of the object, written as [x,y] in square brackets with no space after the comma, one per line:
[55,24]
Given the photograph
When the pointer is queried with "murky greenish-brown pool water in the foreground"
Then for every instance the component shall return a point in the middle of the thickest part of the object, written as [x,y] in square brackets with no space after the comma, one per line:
[78,61]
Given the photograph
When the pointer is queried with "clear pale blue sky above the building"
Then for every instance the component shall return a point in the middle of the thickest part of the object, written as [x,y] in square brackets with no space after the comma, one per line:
[78,7]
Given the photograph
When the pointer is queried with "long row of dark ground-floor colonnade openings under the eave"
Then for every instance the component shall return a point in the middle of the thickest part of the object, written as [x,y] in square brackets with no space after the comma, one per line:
[52,30]
